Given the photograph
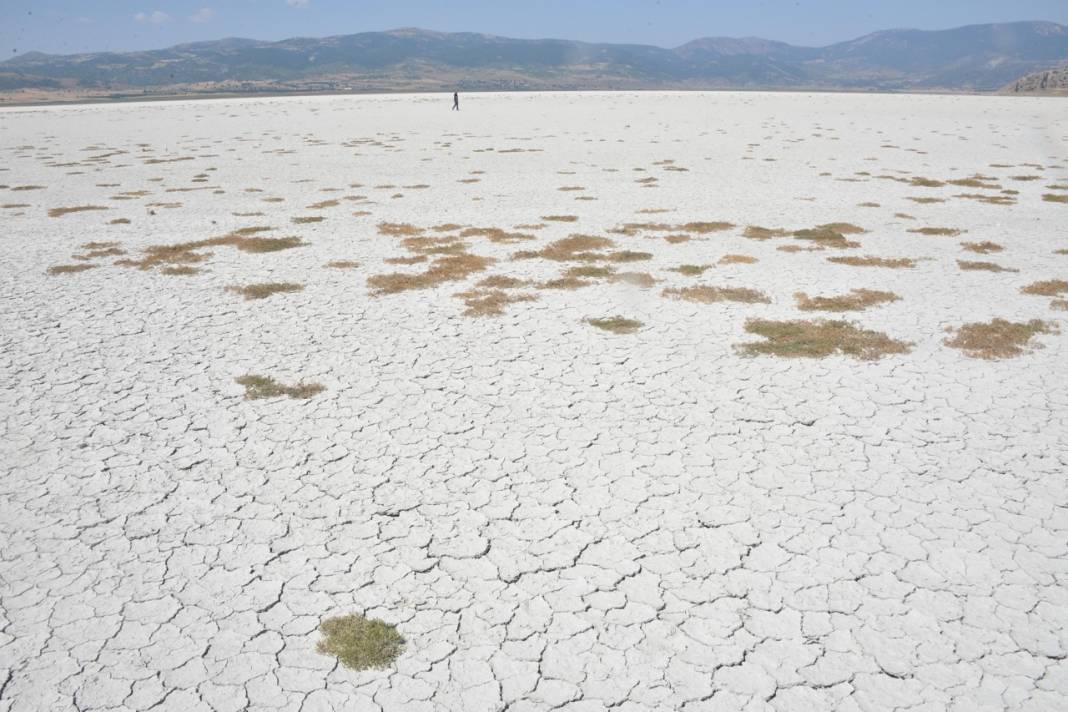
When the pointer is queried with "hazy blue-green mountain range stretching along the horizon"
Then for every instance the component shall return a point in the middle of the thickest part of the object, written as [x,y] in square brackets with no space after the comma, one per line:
[977,58]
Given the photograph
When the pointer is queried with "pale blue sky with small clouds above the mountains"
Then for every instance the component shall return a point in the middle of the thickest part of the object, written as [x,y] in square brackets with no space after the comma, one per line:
[82,26]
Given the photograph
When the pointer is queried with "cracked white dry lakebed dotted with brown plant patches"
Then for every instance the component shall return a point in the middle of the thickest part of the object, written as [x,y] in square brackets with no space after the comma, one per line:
[573,390]
